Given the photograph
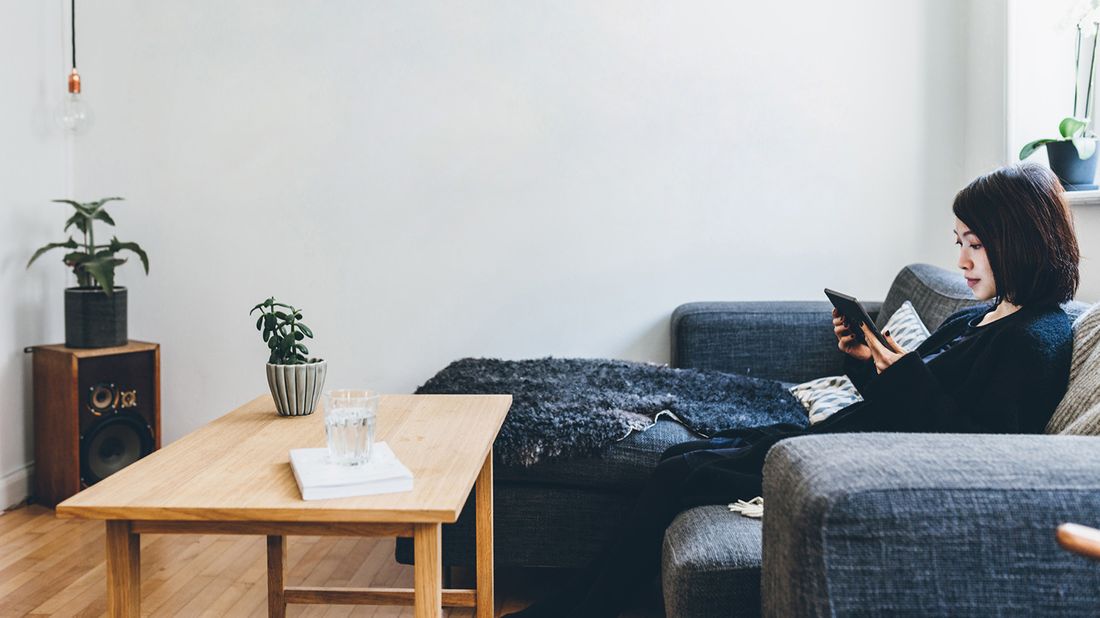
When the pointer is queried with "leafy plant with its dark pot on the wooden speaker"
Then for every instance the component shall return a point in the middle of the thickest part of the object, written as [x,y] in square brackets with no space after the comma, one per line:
[96,308]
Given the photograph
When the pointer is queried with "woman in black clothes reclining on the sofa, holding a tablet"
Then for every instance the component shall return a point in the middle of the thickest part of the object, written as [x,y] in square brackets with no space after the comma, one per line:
[1000,368]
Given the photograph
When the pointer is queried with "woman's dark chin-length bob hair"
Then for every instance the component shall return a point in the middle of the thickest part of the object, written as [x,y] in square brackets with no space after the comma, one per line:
[1021,217]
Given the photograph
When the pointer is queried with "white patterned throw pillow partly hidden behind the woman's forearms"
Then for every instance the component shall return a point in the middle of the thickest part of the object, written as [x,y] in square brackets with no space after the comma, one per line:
[826,396]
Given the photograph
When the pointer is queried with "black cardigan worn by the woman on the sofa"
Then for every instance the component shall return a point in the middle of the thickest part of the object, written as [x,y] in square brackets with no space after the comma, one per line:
[1008,379]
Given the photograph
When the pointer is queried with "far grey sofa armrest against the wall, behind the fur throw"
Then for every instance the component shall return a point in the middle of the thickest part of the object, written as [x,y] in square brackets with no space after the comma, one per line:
[790,341]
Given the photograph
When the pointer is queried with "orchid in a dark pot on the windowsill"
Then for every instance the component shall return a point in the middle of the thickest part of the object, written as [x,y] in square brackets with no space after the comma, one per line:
[1073,156]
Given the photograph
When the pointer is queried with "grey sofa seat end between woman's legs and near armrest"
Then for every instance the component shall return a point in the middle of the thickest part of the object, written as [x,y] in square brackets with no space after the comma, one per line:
[711,565]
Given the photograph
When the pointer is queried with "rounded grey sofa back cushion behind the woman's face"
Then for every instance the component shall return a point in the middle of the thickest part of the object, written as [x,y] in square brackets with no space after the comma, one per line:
[938,293]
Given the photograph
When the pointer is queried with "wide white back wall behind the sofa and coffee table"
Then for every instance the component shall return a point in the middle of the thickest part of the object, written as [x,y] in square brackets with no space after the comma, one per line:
[433,181]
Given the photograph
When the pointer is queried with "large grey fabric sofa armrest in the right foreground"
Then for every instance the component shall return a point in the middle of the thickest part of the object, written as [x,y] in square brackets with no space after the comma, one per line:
[930,525]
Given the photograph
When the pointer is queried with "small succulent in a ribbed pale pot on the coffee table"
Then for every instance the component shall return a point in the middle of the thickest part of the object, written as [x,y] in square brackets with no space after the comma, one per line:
[294,379]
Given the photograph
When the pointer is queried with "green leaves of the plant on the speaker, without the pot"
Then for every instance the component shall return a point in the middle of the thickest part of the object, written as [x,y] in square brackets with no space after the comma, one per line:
[91,262]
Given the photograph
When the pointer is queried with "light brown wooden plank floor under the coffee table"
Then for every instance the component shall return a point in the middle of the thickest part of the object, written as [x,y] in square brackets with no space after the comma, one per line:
[52,567]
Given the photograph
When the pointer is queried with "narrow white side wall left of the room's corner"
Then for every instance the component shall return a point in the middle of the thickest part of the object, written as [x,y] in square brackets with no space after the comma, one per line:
[35,171]
